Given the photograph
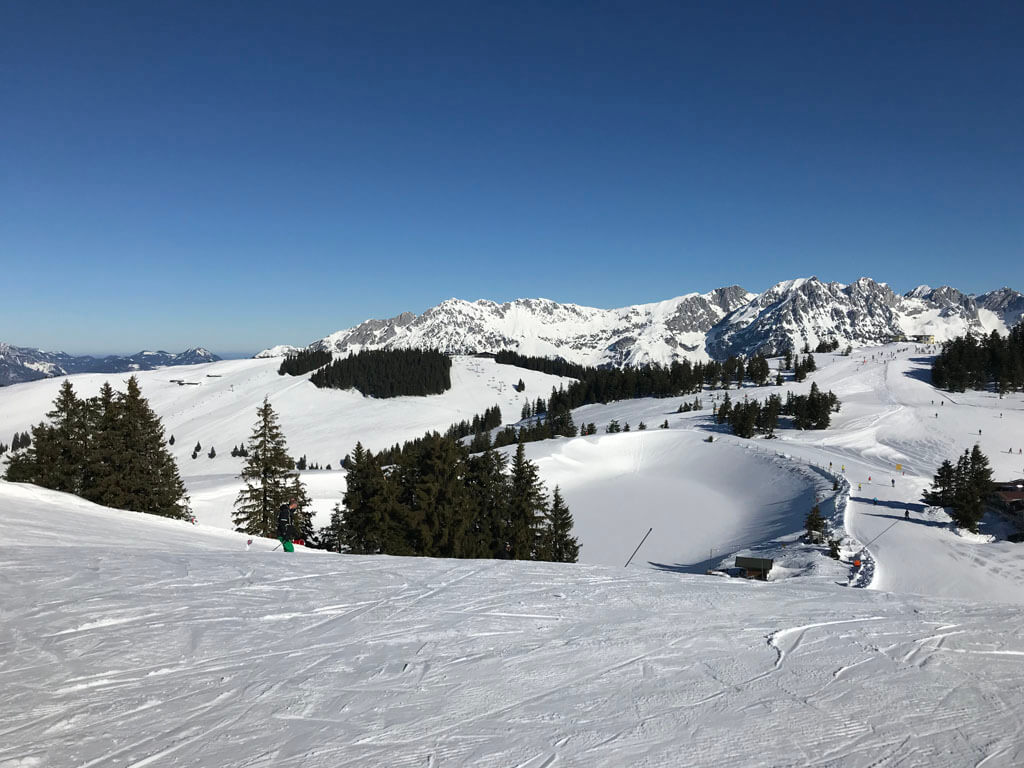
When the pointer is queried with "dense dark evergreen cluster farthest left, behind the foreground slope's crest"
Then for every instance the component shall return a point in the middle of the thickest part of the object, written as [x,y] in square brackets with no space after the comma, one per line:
[109,449]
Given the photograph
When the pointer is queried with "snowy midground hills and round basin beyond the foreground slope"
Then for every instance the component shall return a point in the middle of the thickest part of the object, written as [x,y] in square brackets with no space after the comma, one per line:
[705,501]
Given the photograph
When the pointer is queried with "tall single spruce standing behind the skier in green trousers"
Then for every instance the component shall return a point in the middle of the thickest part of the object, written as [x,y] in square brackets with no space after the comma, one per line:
[269,475]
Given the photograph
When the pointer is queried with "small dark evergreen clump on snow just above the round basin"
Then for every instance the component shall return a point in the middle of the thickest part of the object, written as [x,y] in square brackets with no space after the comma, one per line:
[752,417]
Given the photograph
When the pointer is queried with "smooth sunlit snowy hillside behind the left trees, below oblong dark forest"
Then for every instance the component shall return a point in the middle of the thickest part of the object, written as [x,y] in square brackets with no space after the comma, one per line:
[217,408]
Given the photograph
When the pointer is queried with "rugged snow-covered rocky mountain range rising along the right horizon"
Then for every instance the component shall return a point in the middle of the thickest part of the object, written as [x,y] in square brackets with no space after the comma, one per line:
[698,327]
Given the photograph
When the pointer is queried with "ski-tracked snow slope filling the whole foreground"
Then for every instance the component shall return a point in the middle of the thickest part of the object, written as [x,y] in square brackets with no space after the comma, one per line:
[134,642]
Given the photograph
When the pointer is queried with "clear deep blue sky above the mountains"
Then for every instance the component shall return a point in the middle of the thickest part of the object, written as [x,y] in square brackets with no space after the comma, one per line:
[240,175]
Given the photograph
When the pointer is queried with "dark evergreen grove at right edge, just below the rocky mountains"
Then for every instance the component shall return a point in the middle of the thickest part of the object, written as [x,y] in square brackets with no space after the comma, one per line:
[967,363]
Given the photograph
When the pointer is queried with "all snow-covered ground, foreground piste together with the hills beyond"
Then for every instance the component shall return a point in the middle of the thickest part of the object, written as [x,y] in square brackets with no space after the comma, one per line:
[130,641]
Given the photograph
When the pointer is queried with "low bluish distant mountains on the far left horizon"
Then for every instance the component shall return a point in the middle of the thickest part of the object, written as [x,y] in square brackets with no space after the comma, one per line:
[25,364]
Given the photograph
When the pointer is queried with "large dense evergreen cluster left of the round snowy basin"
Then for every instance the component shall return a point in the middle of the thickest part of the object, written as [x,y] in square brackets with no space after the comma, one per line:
[440,501]
